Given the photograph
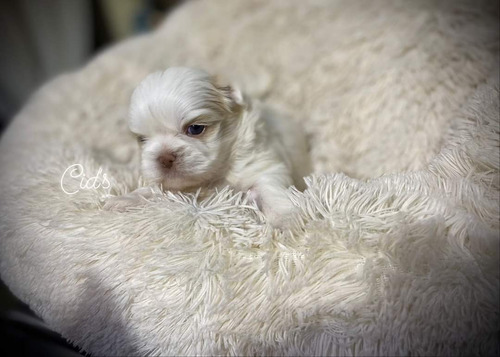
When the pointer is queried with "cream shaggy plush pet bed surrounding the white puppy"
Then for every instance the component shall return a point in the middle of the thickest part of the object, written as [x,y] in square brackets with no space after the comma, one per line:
[397,251]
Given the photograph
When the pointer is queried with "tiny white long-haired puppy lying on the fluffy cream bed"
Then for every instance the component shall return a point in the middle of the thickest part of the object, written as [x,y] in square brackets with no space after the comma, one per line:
[196,133]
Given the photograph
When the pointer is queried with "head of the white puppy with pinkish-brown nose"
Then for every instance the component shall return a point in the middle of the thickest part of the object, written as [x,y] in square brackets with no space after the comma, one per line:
[186,125]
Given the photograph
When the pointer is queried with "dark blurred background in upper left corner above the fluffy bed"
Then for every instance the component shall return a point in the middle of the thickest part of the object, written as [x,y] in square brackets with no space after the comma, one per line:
[42,38]
